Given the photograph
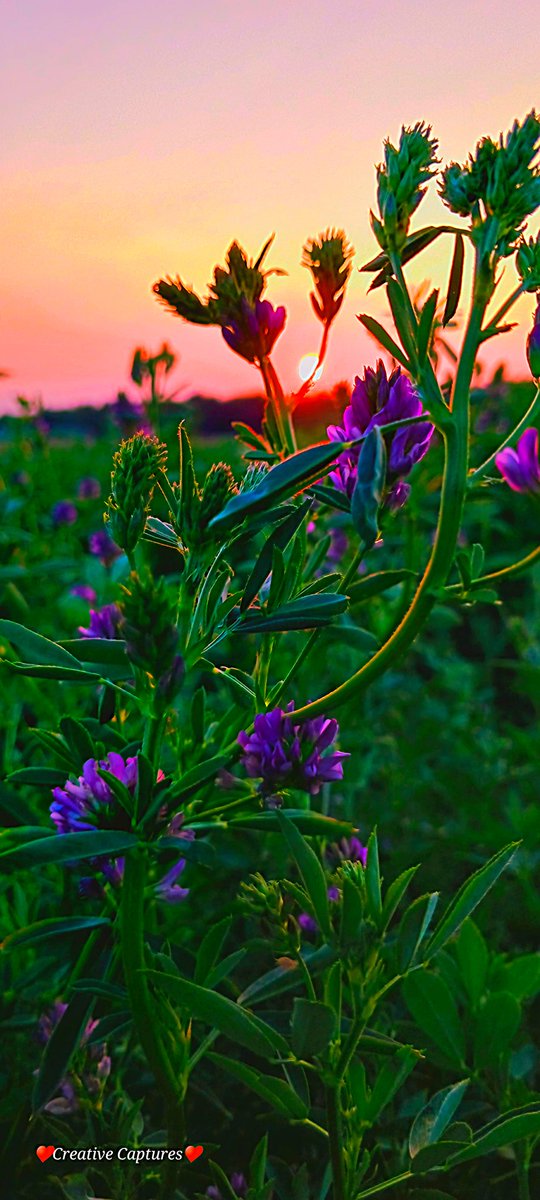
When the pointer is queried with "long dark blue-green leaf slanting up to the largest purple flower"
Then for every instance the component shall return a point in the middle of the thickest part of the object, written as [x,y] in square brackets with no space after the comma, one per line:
[289,478]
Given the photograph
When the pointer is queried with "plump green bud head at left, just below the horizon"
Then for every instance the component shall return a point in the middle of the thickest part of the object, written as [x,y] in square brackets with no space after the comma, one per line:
[136,467]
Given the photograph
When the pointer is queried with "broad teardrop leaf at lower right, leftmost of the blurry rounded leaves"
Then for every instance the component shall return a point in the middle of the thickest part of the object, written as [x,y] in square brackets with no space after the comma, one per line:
[434,1009]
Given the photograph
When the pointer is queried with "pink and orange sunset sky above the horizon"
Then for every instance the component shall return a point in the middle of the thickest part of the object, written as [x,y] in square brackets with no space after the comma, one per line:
[140,140]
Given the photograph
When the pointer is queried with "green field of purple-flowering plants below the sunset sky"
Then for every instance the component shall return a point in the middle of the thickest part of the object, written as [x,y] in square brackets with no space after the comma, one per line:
[269,748]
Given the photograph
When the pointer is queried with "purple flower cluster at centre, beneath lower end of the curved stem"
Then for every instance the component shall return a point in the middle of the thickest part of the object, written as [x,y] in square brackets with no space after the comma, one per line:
[286,755]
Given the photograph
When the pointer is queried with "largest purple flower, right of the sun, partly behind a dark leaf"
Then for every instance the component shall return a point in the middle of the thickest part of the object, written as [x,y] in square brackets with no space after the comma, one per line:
[379,400]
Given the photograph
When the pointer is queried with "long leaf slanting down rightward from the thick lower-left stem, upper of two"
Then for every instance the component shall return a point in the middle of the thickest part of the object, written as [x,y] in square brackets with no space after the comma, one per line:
[224,1015]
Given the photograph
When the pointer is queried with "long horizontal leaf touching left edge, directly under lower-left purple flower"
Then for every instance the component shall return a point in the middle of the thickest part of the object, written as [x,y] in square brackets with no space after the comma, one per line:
[70,848]
